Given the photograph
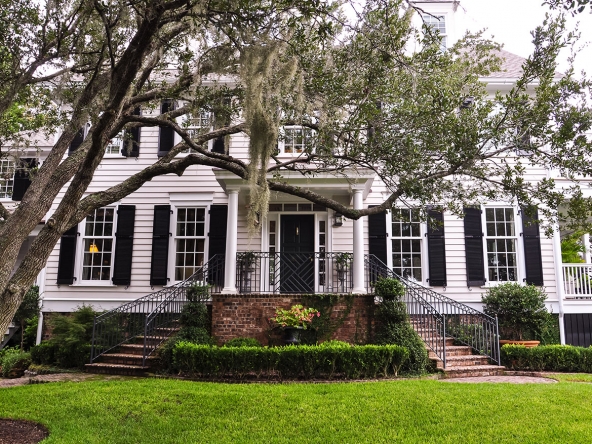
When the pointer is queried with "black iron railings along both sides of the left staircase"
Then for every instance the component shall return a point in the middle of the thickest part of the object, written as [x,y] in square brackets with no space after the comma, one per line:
[151,315]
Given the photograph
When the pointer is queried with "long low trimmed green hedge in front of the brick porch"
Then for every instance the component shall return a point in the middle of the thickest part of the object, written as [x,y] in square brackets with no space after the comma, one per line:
[292,362]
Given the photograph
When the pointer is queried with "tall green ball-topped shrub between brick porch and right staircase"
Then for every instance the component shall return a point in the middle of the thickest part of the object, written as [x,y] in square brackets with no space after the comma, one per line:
[393,325]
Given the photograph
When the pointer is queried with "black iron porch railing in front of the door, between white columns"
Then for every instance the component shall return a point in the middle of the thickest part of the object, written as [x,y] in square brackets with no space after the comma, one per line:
[317,272]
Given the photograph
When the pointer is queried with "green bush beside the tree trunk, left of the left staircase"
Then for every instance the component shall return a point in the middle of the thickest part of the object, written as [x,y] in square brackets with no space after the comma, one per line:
[69,346]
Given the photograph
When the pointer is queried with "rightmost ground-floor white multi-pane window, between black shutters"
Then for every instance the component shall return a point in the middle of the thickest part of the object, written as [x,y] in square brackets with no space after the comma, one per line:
[501,241]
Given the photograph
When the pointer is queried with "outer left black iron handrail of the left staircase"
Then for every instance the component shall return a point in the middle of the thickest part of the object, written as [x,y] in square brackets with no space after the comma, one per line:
[124,323]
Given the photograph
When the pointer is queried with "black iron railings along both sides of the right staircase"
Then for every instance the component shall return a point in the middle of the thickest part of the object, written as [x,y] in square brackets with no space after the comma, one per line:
[437,317]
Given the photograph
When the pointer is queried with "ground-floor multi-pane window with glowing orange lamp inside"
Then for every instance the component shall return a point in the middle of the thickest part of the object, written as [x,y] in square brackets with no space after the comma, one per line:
[98,240]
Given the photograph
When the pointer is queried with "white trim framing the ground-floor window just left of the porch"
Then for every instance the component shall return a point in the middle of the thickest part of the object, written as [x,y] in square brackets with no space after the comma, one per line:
[186,200]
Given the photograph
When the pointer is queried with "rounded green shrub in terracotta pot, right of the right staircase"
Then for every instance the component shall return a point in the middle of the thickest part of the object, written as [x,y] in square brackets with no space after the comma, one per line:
[520,310]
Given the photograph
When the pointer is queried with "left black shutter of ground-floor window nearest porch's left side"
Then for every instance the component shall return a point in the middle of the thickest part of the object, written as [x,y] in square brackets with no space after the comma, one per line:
[160,245]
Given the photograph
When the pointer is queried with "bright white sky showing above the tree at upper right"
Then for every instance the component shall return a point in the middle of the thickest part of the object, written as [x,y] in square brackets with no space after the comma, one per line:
[510,22]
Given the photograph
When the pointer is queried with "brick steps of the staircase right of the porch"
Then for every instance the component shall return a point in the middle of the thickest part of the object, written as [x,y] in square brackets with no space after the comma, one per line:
[460,360]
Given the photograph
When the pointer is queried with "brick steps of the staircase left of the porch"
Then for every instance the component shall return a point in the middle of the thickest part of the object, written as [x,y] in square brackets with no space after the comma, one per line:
[127,359]
